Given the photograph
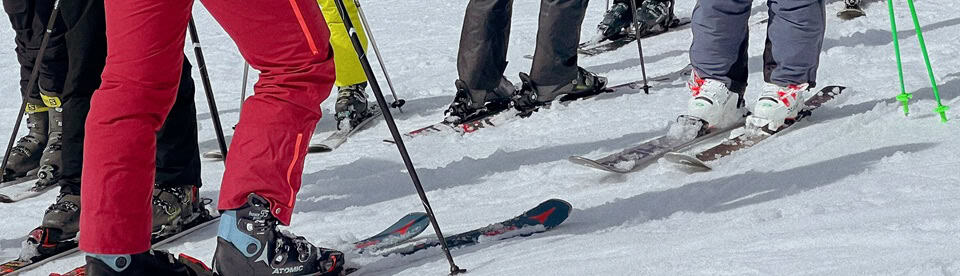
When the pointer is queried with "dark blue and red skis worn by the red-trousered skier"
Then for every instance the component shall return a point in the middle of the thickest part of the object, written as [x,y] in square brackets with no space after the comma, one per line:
[545,216]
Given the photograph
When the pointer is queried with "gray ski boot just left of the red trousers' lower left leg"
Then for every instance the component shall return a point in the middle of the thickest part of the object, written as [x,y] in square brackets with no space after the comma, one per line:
[57,232]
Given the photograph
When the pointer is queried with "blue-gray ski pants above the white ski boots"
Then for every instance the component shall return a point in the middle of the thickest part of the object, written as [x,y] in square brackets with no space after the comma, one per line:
[792,51]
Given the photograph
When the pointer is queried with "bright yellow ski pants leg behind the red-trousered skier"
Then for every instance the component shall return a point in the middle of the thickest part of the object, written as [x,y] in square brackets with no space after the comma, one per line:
[349,70]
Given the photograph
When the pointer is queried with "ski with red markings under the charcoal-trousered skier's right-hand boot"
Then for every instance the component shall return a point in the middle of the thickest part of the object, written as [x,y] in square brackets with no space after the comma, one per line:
[497,118]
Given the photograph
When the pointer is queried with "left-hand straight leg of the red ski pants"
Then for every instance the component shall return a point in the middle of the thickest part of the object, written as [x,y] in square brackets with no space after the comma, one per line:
[138,89]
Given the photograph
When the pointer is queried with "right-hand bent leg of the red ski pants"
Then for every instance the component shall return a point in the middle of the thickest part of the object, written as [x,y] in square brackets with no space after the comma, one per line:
[288,42]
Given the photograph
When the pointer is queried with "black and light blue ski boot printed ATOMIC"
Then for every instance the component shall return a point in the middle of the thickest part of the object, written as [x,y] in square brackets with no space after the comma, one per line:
[249,243]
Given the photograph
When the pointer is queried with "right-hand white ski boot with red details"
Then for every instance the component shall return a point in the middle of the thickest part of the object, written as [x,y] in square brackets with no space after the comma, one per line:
[775,106]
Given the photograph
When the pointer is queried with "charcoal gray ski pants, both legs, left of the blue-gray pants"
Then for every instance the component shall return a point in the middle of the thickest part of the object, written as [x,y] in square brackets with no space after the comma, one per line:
[486,32]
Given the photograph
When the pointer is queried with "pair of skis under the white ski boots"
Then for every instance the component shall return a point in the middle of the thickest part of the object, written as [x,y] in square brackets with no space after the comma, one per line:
[688,132]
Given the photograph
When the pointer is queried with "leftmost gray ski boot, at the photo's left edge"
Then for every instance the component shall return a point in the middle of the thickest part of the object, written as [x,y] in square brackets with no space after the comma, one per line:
[25,155]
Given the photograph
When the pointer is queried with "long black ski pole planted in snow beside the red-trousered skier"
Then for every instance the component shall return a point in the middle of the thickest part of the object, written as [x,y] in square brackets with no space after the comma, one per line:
[392,125]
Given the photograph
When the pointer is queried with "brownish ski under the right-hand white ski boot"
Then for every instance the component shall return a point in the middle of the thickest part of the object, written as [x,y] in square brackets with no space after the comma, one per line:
[699,160]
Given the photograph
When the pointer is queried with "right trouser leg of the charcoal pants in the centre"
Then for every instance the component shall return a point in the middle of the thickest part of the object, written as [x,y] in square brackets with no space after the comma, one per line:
[555,58]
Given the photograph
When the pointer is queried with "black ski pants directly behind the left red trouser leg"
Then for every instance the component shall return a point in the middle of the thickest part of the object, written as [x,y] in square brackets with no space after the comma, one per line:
[178,155]
